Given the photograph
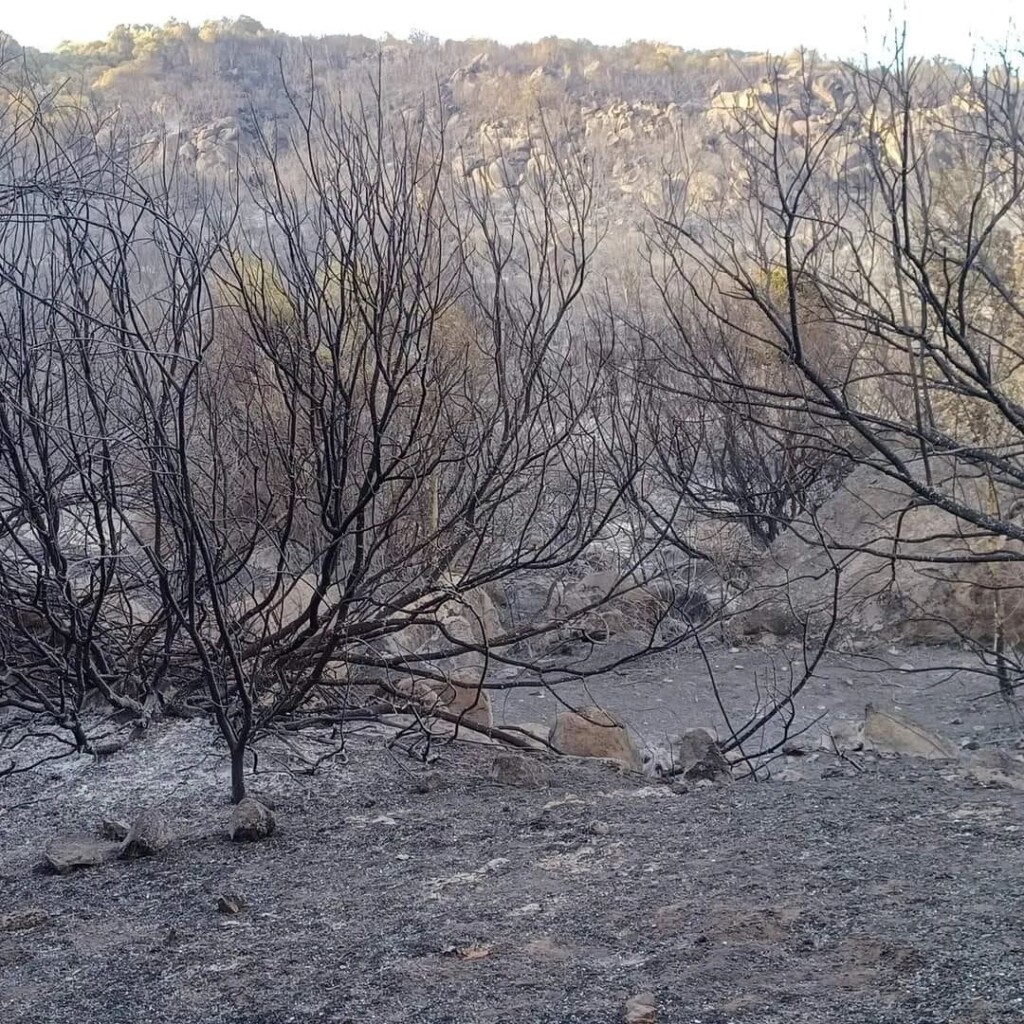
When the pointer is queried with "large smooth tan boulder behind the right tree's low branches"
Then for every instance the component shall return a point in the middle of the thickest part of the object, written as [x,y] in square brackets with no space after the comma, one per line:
[865,529]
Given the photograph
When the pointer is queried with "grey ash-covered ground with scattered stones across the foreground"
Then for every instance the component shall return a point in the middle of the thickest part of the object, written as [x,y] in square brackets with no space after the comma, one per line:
[862,889]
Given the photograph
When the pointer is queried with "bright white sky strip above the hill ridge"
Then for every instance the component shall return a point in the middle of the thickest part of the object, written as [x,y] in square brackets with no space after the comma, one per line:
[956,29]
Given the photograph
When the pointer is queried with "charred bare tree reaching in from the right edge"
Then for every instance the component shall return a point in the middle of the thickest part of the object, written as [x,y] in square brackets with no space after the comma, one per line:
[875,255]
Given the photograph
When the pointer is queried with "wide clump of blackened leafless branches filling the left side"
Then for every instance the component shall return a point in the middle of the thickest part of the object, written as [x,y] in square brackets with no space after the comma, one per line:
[277,445]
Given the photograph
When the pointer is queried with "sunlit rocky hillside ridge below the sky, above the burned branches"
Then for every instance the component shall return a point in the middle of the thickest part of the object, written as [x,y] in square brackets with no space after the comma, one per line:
[655,119]
